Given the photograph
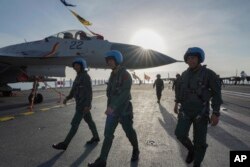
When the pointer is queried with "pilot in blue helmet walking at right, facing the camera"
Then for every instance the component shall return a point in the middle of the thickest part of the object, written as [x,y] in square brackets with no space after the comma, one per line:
[198,85]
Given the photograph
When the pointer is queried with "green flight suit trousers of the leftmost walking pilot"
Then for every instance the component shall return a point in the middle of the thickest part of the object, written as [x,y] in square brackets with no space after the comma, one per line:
[76,122]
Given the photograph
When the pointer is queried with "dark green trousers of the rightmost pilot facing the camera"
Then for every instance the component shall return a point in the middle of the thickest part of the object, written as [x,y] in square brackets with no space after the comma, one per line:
[199,144]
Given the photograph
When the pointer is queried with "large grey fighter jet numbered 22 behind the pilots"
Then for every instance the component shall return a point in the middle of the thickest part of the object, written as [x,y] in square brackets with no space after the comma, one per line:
[49,57]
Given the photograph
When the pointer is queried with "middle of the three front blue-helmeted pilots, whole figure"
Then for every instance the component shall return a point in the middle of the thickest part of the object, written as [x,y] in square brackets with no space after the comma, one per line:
[119,108]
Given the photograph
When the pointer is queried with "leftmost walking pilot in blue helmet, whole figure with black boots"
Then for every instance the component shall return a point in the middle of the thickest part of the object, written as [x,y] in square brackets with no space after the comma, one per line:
[82,92]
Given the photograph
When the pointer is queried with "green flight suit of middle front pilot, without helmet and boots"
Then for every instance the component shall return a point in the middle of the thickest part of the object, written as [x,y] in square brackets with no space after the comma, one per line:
[118,94]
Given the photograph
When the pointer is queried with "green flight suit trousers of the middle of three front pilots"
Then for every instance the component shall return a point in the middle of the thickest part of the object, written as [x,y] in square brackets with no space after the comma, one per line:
[110,126]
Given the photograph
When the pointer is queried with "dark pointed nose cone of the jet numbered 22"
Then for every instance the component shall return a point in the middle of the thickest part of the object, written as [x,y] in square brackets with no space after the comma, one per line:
[136,57]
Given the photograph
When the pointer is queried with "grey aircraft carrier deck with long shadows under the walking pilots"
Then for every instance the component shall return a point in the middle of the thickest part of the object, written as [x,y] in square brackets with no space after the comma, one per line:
[26,136]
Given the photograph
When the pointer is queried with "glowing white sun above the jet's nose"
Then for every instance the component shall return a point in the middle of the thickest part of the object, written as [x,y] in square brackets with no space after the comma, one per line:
[148,39]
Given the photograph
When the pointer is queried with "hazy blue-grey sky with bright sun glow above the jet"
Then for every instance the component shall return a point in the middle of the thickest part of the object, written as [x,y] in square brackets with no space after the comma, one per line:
[220,27]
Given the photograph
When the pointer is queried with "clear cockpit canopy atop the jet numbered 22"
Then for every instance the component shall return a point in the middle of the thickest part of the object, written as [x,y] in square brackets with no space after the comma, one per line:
[76,34]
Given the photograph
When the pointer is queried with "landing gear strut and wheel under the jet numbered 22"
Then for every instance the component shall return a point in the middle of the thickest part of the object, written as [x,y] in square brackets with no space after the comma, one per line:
[34,97]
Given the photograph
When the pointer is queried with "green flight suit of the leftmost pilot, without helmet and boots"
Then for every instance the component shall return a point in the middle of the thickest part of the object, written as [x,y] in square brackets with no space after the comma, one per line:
[82,92]
